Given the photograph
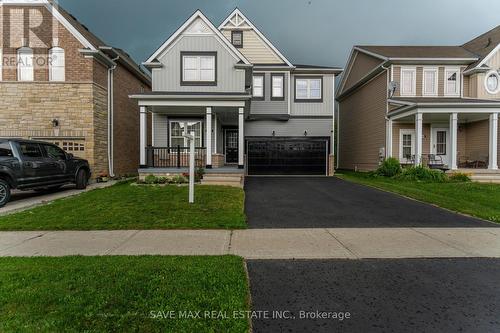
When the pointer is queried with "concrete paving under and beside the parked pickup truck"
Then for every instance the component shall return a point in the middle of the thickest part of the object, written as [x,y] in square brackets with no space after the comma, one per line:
[21,200]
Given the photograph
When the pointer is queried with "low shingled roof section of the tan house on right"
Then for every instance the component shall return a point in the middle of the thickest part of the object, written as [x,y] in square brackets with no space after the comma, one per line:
[420,52]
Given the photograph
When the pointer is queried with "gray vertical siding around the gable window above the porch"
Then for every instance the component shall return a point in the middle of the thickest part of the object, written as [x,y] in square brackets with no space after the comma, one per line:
[168,77]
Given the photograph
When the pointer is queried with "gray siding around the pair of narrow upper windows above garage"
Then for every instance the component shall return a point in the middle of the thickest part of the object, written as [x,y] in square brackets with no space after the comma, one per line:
[268,106]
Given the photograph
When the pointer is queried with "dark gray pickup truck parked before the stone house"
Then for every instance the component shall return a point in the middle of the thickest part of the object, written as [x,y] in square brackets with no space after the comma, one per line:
[39,166]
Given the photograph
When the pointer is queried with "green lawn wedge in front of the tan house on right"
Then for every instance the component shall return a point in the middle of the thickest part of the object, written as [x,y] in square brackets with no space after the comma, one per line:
[480,200]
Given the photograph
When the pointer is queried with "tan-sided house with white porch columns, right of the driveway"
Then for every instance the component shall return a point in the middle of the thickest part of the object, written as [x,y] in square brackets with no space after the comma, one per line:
[434,105]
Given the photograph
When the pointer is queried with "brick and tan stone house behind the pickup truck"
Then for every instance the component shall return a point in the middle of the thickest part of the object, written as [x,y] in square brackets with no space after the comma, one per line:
[60,83]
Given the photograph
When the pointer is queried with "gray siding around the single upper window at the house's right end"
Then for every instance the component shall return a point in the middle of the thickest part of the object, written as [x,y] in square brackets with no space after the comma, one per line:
[315,109]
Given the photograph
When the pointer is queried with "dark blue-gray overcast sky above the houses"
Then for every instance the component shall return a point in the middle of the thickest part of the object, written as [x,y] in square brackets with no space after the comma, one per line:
[318,32]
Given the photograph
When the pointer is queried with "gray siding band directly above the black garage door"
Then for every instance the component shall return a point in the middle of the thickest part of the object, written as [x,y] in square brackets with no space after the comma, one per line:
[292,127]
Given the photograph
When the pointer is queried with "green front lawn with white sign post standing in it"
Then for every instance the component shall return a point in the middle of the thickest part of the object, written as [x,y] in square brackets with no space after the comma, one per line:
[125,206]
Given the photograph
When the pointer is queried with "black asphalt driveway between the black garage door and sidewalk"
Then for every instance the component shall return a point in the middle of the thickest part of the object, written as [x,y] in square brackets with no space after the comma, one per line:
[314,202]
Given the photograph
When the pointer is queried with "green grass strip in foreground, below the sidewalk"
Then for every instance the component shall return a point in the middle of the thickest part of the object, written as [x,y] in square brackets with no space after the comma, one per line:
[121,294]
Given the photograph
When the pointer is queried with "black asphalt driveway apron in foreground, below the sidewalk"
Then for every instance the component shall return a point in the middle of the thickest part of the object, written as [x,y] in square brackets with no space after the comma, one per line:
[412,295]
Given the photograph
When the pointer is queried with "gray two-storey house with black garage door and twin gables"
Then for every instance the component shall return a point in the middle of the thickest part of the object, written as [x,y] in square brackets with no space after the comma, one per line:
[249,107]
